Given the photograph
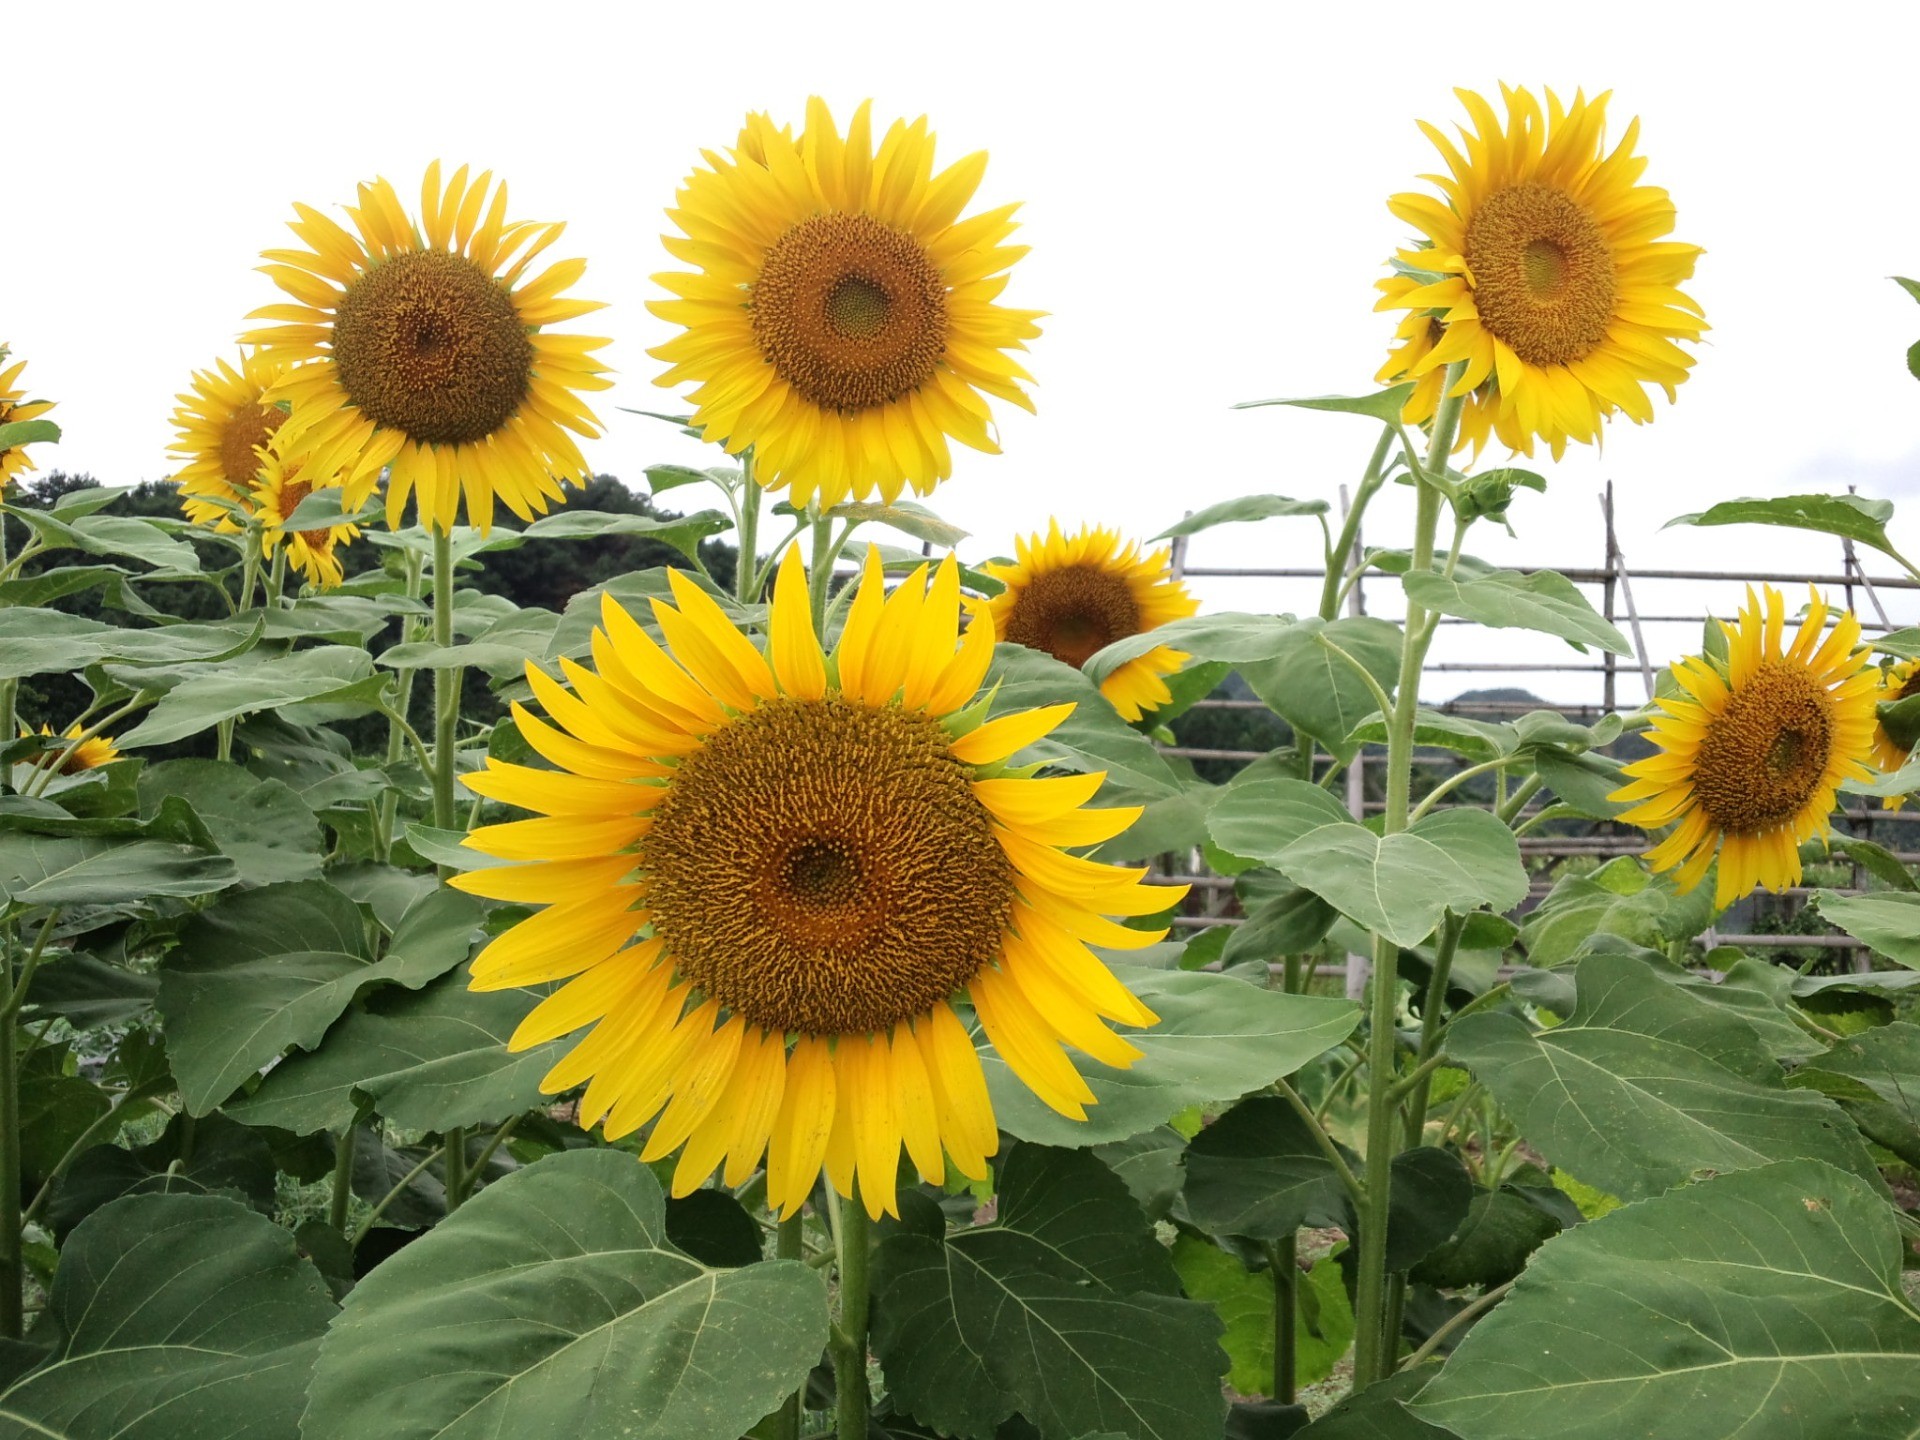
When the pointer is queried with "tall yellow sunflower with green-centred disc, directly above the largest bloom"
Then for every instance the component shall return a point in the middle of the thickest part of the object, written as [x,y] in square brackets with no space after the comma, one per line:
[842,316]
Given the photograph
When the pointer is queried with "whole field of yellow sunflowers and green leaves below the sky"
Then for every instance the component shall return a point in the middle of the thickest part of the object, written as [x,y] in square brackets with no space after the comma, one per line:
[748,1001]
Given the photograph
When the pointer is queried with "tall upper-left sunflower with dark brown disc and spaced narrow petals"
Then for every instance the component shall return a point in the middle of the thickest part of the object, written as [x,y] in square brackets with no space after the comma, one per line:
[429,352]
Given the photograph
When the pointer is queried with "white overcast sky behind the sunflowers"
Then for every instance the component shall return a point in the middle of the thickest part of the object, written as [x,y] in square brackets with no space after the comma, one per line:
[1205,195]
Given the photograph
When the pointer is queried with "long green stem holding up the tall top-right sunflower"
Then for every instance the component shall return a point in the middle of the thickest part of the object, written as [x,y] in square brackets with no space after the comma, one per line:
[1376,1351]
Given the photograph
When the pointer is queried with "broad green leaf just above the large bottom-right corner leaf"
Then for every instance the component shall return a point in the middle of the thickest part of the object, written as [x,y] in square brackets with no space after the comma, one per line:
[1646,1086]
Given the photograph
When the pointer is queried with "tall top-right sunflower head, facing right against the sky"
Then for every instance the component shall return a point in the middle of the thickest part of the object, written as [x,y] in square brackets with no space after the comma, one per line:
[1545,262]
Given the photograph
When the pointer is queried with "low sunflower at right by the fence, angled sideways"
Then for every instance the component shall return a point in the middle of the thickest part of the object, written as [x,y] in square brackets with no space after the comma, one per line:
[1752,757]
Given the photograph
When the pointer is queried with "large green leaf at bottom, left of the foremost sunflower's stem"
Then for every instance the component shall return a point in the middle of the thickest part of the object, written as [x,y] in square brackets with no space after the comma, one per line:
[552,1305]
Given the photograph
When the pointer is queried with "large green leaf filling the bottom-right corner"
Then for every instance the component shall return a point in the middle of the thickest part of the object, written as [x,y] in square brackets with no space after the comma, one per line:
[1756,1305]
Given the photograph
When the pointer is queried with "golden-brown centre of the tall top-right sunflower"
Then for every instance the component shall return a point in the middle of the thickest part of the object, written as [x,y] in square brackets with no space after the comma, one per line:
[1543,274]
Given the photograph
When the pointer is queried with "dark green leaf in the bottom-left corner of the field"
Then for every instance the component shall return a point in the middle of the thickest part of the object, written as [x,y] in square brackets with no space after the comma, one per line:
[174,1316]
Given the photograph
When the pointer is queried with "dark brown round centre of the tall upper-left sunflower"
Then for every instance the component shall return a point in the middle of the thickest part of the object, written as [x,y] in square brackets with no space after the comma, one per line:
[431,345]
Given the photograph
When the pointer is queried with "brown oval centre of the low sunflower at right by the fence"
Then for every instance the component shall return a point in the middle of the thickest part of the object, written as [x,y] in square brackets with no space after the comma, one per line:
[1765,754]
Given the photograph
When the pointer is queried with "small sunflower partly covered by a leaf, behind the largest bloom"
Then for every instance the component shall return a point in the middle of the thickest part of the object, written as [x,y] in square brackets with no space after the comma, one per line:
[1072,596]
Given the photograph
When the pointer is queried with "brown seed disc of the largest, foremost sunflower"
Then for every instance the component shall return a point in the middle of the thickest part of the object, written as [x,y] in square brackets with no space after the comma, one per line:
[823,867]
